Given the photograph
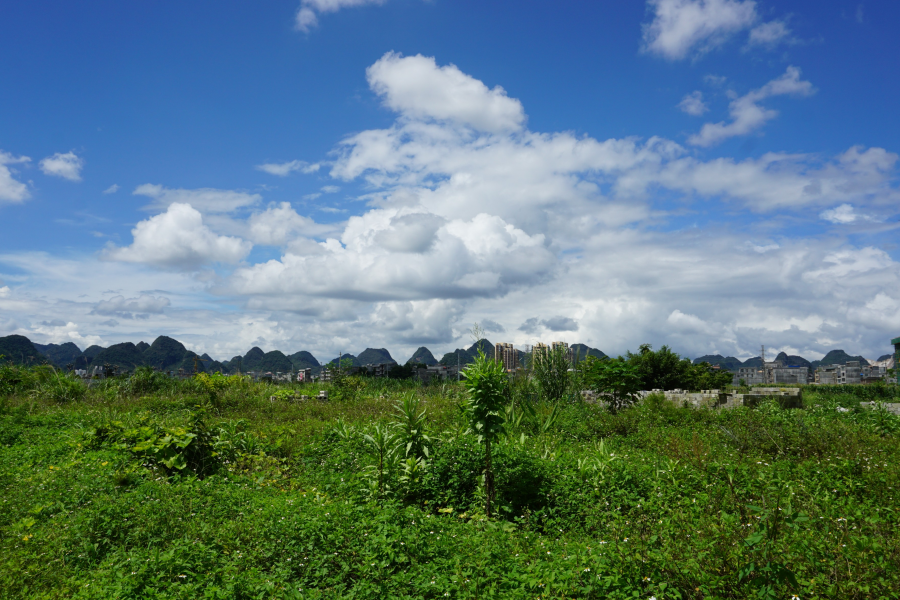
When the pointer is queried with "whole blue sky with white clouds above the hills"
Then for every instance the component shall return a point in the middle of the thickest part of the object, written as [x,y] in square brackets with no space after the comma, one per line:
[329,175]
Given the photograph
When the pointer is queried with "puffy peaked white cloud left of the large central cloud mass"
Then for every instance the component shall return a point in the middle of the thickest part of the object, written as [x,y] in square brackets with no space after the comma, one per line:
[178,238]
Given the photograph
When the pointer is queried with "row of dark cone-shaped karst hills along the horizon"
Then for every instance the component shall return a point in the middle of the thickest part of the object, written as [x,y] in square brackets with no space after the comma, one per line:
[168,354]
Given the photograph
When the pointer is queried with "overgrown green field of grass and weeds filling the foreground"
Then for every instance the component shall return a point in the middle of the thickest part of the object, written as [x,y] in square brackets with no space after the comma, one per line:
[152,488]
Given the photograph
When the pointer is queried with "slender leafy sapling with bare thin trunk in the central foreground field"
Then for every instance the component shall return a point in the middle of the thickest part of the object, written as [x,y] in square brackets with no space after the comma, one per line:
[486,383]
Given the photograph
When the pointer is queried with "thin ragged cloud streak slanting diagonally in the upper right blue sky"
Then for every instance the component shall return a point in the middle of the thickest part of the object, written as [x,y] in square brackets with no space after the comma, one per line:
[747,114]
